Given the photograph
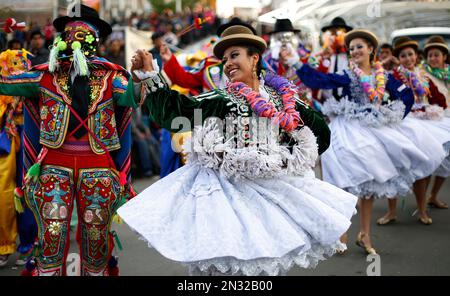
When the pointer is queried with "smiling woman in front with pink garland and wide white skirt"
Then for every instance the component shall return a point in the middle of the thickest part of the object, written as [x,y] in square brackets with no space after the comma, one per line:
[241,206]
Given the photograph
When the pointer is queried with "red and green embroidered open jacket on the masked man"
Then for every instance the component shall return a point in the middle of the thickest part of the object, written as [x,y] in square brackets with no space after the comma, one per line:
[108,87]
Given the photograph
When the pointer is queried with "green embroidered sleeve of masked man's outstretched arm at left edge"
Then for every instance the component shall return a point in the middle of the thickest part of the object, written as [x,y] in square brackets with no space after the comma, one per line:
[24,85]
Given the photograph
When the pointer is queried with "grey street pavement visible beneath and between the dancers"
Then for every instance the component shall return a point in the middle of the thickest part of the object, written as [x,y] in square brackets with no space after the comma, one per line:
[405,247]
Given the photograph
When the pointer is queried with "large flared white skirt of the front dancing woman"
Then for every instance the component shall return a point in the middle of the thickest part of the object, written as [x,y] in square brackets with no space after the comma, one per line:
[200,218]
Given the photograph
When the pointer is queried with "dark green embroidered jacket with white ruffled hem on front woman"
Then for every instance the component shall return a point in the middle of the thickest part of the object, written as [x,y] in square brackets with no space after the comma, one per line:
[231,145]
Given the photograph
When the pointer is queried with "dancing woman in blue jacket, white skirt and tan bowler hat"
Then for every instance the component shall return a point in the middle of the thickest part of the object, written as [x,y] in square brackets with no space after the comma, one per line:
[368,155]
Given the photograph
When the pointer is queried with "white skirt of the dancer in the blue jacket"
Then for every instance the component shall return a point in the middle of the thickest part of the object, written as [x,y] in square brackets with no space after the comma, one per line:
[379,162]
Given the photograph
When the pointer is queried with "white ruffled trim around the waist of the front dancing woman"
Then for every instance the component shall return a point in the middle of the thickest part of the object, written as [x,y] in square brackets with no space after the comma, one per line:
[212,150]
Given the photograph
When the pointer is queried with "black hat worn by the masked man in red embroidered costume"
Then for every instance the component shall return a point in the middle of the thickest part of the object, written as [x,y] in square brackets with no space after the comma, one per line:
[87,14]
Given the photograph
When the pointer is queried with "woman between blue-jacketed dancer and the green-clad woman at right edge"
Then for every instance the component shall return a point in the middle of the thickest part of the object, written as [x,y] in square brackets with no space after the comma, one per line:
[427,113]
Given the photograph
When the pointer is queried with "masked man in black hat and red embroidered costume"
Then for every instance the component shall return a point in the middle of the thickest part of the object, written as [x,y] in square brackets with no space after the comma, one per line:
[75,150]
